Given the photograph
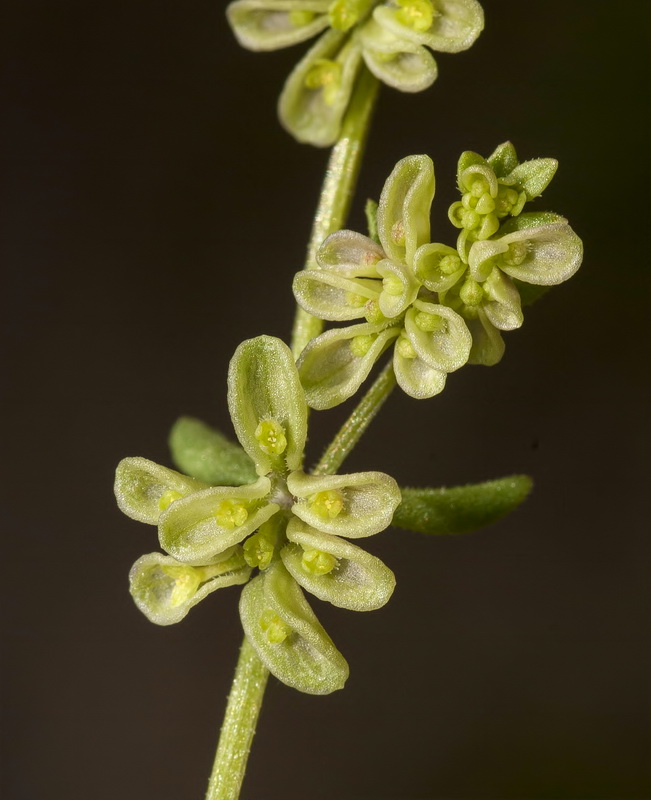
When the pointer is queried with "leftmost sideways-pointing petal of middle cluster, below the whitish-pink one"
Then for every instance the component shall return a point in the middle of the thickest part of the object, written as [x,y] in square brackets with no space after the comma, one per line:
[328,295]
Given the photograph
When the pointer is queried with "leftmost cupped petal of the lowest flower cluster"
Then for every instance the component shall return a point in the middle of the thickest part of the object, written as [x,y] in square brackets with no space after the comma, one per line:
[143,489]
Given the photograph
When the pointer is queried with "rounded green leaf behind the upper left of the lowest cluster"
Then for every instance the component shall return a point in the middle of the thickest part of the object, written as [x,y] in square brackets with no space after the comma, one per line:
[206,454]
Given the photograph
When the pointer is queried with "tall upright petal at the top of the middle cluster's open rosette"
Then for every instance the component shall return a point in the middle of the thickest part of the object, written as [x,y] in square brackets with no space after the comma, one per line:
[403,212]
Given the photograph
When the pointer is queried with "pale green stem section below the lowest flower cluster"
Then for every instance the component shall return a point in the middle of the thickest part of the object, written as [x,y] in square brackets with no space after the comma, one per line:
[242,710]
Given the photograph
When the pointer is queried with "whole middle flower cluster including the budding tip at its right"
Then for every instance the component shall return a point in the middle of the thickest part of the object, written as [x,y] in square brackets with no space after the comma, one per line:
[442,307]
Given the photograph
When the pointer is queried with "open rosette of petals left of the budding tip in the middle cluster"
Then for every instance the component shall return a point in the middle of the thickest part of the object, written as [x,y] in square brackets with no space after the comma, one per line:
[391,285]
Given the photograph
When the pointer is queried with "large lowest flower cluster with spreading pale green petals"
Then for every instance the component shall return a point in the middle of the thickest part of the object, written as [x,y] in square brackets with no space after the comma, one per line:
[287,524]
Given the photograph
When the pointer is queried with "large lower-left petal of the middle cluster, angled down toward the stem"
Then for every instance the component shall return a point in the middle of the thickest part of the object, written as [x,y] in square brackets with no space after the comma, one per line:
[335,364]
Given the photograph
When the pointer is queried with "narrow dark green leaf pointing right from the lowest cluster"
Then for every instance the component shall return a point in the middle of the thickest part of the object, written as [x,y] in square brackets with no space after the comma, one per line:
[460,509]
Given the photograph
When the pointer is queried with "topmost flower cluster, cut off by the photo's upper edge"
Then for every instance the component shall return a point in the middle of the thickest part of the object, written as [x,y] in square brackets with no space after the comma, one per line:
[389,36]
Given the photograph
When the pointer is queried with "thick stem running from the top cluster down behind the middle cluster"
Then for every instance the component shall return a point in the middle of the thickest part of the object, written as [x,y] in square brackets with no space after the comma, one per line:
[337,190]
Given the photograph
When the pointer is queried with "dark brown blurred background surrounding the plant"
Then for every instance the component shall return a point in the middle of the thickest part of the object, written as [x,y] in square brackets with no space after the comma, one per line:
[153,213]
